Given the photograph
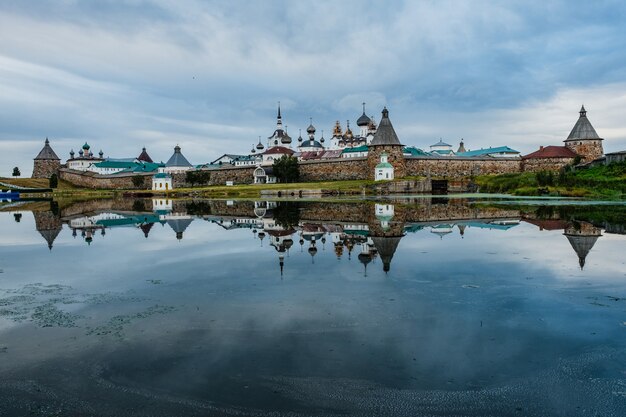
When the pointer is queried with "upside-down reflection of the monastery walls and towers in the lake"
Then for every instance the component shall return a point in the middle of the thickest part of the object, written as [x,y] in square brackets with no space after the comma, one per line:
[369,233]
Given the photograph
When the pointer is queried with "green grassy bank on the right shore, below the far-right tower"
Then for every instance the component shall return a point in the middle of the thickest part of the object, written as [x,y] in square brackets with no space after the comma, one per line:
[606,182]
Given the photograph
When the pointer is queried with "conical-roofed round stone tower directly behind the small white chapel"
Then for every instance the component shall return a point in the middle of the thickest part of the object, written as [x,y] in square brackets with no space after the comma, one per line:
[385,140]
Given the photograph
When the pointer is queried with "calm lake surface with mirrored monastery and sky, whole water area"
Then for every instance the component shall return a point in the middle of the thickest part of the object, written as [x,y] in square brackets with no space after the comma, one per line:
[397,307]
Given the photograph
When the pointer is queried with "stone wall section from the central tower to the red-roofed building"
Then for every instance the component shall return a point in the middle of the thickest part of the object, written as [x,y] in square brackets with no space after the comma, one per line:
[455,167]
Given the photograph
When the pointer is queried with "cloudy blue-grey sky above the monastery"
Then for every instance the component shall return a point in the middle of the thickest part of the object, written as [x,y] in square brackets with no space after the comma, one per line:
[207,75]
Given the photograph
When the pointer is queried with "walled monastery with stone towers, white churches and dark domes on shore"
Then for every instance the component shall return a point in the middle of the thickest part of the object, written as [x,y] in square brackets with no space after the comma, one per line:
[372,151]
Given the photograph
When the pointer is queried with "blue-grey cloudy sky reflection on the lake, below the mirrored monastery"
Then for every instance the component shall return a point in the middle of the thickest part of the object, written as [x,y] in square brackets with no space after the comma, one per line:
[463,316]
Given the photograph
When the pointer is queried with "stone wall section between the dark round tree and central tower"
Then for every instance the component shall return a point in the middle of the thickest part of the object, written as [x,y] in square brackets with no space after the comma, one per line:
[334,169]
